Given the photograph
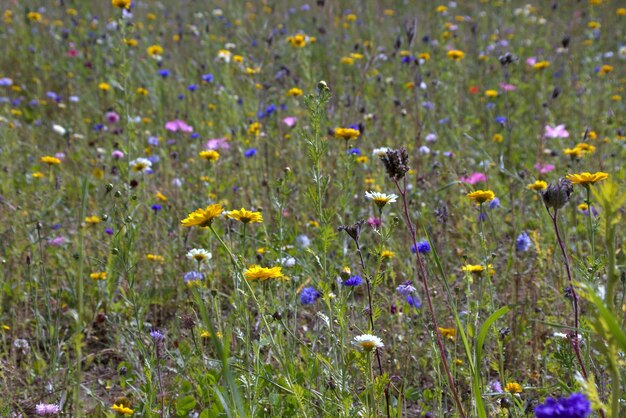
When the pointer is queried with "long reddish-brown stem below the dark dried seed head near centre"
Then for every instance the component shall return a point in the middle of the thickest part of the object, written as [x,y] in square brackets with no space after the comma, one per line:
[431,309]
